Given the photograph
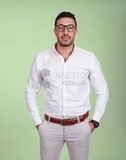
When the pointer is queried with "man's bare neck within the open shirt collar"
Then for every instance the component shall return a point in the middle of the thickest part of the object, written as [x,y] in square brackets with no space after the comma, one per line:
[64,51]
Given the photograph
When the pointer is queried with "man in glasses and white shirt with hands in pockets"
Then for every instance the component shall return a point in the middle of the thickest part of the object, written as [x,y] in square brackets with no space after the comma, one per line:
[65,71]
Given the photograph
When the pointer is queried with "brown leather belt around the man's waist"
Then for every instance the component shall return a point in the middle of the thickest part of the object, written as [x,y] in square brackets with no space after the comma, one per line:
[66,122]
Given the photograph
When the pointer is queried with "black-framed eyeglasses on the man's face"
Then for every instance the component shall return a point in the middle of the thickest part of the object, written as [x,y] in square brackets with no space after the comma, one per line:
[61,27]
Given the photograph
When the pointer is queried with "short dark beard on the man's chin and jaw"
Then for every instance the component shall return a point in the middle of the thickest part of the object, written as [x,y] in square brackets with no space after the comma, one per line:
[65,43]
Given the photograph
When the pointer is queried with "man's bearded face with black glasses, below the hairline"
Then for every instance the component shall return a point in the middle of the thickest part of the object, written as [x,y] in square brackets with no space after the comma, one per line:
[65,31]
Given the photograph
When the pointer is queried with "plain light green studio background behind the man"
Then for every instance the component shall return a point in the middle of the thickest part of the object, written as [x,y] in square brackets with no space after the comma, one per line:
[26,28]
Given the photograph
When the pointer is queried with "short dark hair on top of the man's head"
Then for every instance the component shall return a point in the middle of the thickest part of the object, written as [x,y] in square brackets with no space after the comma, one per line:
[66,14]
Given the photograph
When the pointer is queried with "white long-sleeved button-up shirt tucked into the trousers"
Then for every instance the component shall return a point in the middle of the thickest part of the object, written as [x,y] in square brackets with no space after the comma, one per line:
[66,85]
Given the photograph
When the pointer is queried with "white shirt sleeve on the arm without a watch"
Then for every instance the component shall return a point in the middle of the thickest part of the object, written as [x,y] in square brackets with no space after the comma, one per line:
[33,86]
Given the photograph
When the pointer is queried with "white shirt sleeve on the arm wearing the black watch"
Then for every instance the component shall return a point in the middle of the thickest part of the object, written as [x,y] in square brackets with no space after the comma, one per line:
[101,89]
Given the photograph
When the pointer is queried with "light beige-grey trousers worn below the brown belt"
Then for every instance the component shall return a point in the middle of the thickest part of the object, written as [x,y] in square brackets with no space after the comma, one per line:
[53,136]
